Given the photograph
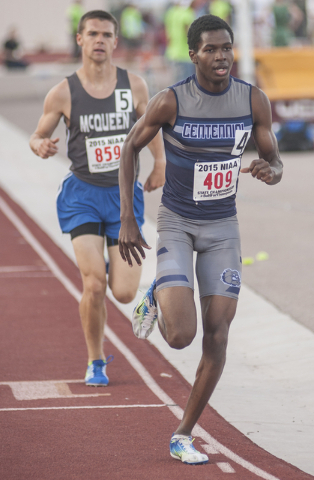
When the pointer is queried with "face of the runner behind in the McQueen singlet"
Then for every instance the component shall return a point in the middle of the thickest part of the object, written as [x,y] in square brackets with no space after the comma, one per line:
[98,39]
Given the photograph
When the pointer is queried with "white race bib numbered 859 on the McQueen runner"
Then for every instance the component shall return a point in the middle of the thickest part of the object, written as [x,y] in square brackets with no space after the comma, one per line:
[103,153]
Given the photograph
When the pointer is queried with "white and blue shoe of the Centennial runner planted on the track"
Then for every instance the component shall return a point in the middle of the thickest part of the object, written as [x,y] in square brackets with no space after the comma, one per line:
[182,448]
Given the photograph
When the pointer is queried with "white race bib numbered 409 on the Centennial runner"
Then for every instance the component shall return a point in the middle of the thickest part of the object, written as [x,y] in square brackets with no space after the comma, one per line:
[215,180]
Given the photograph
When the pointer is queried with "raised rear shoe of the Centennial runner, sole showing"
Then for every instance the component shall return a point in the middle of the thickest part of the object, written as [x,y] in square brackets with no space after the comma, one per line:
[145,314]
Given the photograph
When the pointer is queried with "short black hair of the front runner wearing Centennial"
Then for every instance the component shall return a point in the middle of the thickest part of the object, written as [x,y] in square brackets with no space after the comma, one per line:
[206,23]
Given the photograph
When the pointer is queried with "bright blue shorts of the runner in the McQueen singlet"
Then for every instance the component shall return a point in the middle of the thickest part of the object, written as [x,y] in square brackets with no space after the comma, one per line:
[80,203]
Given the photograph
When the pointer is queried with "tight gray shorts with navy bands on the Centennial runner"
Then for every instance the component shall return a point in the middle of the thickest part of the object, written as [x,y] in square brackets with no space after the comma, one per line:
[218,259]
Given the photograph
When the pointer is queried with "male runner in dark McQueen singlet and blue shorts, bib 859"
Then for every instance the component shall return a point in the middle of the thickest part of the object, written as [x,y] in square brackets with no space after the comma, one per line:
[99,103]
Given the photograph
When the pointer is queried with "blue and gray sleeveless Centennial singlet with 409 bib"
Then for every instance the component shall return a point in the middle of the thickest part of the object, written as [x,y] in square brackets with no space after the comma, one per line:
[204,149]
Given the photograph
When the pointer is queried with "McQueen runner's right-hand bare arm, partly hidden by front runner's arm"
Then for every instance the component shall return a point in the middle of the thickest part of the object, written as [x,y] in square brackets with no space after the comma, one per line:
[140,96]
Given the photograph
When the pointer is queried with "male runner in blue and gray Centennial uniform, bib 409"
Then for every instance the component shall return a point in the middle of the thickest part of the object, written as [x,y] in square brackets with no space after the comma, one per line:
[206,120]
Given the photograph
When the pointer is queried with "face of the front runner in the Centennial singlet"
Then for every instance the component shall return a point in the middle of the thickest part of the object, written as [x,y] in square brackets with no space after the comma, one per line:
[214,58]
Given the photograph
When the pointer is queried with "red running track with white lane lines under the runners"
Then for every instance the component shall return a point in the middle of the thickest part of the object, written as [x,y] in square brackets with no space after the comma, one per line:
[53,426]
